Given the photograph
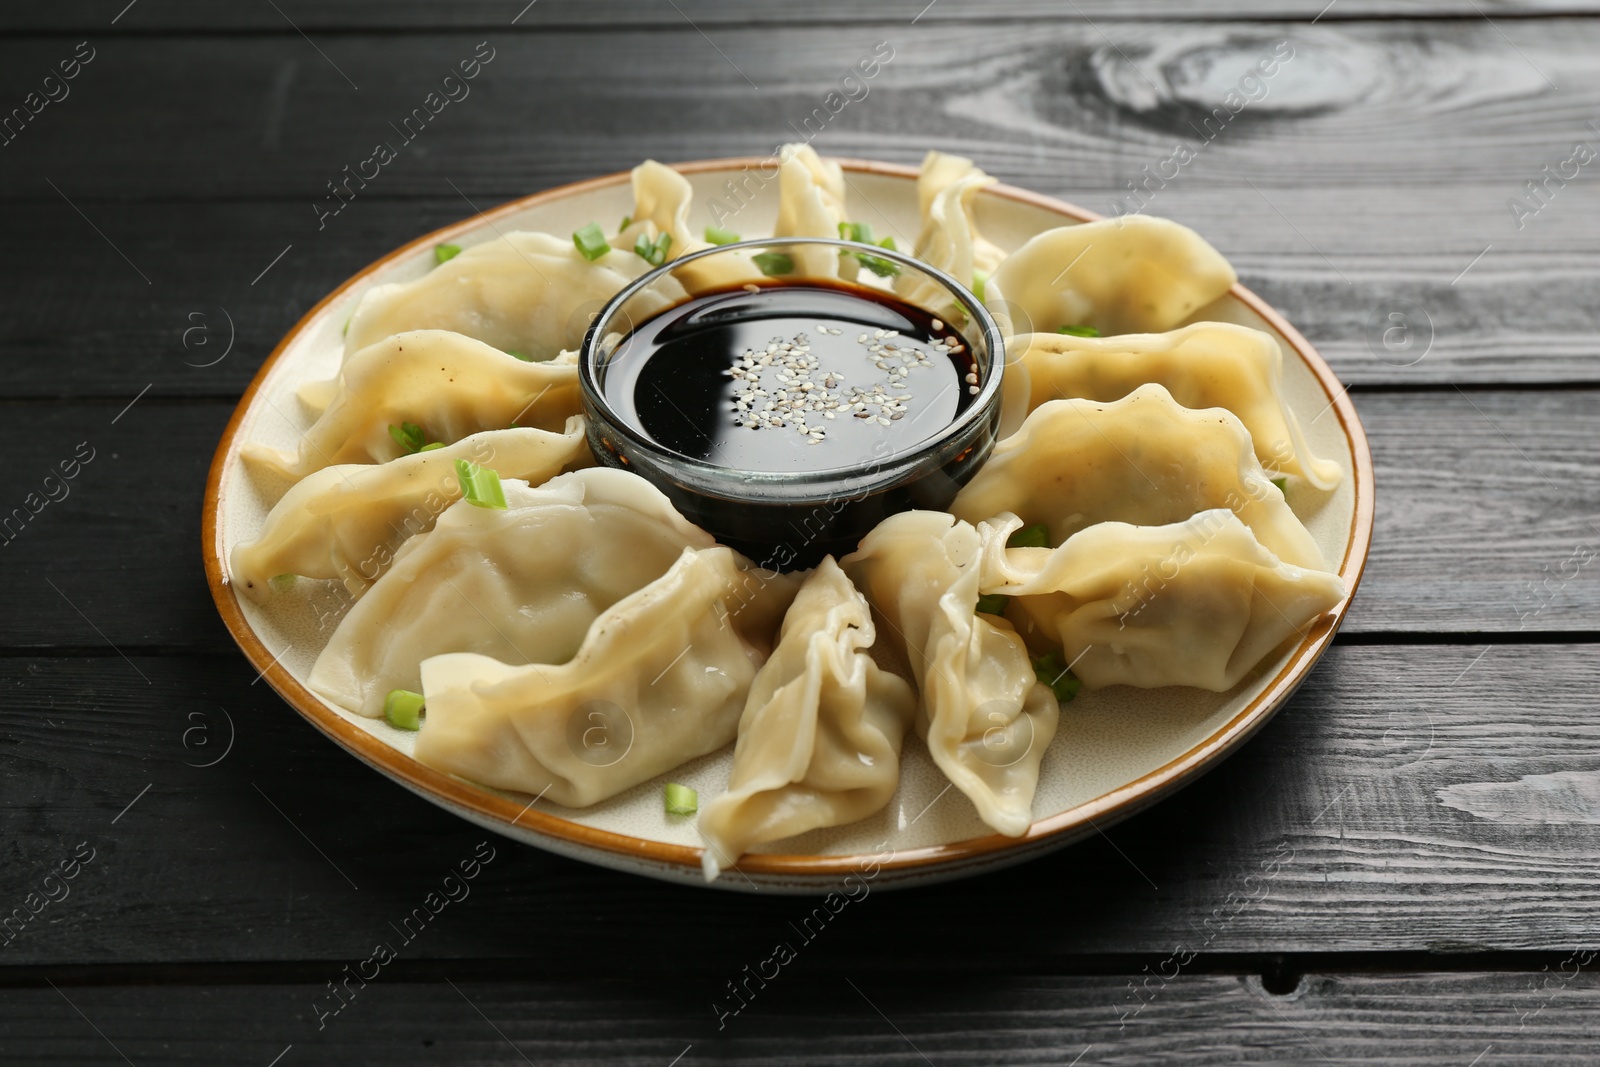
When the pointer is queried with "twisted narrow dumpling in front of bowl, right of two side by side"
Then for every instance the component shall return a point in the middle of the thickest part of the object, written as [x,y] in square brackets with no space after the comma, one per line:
[985,714]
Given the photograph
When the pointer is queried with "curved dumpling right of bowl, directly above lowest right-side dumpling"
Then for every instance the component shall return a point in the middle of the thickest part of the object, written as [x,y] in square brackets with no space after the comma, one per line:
[1142,460]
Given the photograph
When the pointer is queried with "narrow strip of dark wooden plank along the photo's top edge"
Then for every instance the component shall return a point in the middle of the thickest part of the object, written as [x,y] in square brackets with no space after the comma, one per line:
[108,18]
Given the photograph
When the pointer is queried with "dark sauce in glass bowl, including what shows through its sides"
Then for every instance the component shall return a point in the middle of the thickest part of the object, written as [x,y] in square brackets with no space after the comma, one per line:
[790,418]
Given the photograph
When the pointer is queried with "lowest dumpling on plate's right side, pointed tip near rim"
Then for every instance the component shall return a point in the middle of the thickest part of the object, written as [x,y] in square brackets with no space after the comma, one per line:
[1194,604]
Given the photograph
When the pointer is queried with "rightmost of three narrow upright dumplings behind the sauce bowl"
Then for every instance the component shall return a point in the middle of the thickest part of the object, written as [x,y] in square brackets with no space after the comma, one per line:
[950,239]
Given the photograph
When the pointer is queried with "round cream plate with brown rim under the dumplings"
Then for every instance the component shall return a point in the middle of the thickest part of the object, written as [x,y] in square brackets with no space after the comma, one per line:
[1118,751]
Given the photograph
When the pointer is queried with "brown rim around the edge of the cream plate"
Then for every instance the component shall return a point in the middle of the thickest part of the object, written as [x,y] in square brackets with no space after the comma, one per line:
[511,817]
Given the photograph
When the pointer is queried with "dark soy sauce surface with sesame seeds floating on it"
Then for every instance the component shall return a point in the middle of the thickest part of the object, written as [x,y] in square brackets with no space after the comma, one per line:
[793,377]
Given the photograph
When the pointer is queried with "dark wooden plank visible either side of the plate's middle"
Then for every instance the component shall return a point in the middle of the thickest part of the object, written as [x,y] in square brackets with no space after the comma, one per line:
[1487,519]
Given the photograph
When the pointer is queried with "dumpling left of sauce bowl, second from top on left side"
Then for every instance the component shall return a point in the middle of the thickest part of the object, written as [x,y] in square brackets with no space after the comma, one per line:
[446,383]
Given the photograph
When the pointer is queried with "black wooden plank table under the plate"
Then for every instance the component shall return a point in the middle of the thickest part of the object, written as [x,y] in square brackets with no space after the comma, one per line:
[1402,868]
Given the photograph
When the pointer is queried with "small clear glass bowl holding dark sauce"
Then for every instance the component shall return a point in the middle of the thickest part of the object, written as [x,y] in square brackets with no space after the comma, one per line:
[791,519]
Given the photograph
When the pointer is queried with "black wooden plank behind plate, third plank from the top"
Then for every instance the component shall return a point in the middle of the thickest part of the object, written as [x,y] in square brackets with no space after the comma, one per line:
[82,322]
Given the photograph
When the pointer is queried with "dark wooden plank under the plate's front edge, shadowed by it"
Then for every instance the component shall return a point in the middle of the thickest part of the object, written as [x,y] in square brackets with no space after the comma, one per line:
[1391,807]
